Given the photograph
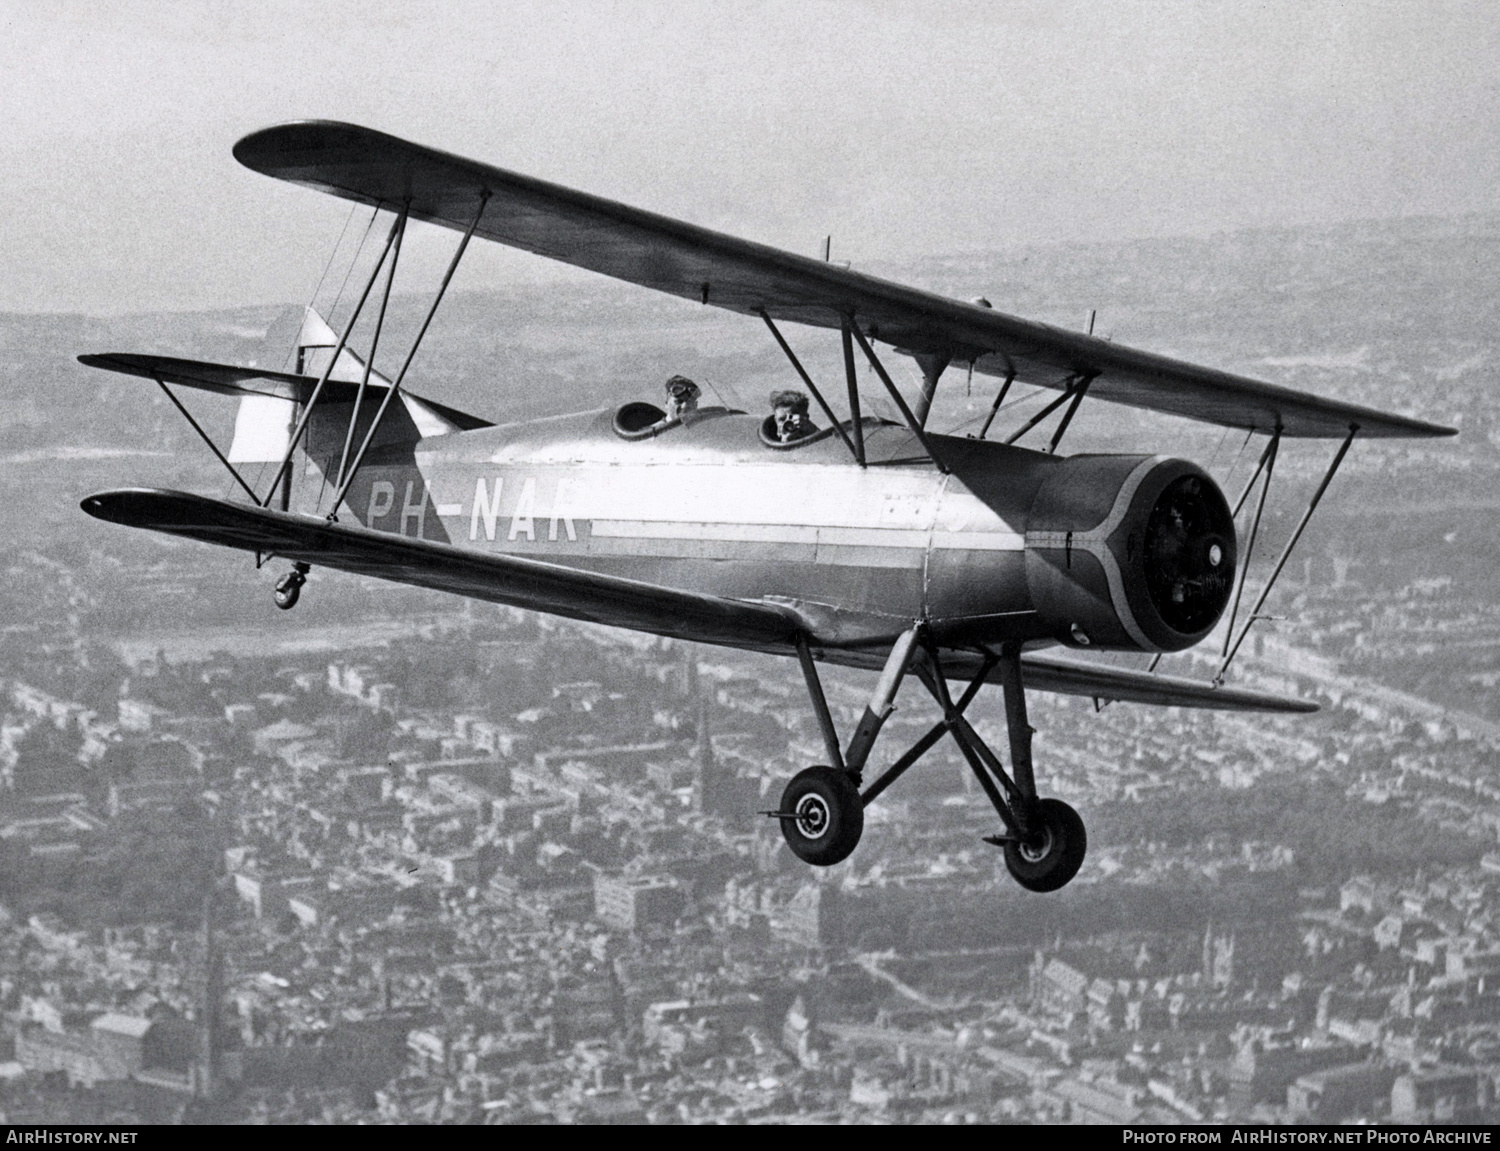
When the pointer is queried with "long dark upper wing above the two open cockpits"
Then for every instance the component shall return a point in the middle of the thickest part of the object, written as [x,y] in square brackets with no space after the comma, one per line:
[728,272]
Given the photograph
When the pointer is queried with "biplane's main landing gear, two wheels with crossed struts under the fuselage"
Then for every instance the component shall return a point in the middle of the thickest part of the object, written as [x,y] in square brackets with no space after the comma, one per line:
[823,810]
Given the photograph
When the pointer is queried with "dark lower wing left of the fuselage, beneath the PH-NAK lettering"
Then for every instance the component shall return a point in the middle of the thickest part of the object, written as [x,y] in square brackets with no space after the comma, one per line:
[482,575]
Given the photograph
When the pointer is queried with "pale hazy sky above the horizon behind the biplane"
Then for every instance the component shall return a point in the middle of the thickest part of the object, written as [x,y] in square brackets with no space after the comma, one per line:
[901,128]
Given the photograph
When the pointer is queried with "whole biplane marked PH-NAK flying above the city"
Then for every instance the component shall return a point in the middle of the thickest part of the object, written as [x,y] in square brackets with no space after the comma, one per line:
[865,542]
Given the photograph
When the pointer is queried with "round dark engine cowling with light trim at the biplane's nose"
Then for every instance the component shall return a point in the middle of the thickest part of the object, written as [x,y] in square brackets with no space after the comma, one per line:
[1132,553]
